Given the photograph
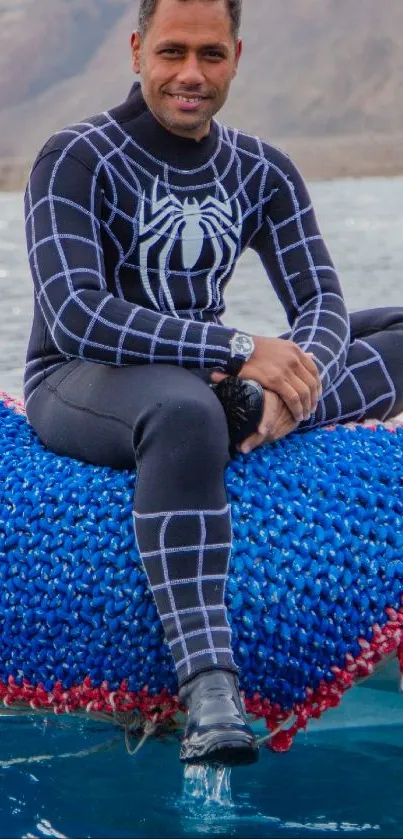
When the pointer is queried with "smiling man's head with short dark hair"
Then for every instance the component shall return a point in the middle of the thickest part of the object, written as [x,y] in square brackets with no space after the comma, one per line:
[187,61]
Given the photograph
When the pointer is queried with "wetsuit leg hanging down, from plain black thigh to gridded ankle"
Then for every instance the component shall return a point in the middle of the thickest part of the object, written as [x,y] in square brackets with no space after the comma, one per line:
[168,423]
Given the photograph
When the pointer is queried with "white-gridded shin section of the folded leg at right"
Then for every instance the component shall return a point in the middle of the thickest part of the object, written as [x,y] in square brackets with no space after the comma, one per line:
[363,383]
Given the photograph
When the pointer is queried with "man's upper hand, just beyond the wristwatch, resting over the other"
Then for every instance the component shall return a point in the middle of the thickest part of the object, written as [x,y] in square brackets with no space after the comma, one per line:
[283,368]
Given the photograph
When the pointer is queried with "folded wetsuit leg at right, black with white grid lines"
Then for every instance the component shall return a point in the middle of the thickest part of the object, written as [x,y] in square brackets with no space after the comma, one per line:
[371,383]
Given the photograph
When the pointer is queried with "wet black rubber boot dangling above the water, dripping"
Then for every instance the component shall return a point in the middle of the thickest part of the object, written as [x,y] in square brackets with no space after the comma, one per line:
[216,730]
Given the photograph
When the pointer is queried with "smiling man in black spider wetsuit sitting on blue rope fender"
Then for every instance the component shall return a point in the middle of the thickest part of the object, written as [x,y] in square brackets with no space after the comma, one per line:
[135,220]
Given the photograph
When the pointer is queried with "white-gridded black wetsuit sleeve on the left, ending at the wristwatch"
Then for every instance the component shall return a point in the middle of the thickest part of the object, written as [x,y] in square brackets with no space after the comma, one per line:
[63,205]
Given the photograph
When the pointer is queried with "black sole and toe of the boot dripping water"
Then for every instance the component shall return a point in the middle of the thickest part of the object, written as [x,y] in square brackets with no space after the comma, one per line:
[219,748]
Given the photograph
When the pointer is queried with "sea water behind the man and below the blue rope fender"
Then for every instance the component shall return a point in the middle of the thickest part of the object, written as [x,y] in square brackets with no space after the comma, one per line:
[63,778]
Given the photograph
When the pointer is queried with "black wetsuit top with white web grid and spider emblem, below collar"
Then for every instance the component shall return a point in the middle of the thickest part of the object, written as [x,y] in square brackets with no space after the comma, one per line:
[70,222]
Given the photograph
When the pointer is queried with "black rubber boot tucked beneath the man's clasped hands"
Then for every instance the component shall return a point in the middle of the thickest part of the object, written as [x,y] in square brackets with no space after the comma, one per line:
[243,403]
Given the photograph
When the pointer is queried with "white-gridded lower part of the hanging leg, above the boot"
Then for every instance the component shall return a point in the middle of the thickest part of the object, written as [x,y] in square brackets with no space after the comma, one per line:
[188,583]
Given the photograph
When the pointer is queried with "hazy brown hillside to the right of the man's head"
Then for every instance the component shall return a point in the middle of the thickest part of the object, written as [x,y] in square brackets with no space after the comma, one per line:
[322,67]
